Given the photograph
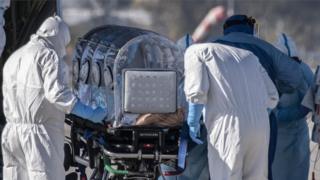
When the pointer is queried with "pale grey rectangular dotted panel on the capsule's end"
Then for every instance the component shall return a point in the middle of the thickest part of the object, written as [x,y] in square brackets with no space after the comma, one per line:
[150,91]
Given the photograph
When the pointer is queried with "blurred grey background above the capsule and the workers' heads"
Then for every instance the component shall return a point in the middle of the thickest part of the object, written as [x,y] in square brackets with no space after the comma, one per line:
[175,18]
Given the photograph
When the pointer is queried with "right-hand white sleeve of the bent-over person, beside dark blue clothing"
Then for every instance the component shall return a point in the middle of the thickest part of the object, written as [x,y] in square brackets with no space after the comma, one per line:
[273,96]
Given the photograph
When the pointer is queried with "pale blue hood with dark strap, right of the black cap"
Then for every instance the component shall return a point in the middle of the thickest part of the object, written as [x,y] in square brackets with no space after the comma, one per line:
[286,44]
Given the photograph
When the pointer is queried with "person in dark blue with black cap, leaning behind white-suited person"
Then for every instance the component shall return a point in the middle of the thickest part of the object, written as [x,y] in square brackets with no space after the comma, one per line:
[287,75]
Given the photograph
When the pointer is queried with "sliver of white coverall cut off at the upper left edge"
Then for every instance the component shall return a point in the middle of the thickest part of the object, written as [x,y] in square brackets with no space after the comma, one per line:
[4,4]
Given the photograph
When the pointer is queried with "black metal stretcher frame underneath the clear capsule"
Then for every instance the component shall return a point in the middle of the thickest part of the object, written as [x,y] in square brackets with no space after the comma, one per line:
[89,134]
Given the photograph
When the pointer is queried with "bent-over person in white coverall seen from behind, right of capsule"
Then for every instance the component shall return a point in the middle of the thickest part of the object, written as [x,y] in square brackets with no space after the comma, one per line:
[235,91]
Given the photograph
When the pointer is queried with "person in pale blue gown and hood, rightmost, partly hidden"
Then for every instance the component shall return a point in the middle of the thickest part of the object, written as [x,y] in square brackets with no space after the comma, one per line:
[292,155]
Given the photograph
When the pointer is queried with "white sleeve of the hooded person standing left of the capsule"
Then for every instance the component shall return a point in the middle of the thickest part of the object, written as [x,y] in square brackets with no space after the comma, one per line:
[55,91]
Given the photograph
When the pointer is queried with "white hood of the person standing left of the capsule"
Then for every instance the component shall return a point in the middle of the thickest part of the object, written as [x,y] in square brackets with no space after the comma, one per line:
[56,32]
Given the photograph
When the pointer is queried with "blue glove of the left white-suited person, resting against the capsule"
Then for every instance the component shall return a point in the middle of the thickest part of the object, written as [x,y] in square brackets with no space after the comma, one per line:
[86,112]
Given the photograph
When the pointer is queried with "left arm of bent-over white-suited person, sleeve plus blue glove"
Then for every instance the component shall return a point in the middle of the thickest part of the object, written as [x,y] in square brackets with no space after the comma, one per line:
[196,85]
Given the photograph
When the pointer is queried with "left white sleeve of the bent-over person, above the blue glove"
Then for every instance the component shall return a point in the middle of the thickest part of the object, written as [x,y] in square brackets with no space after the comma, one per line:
[196,77]
